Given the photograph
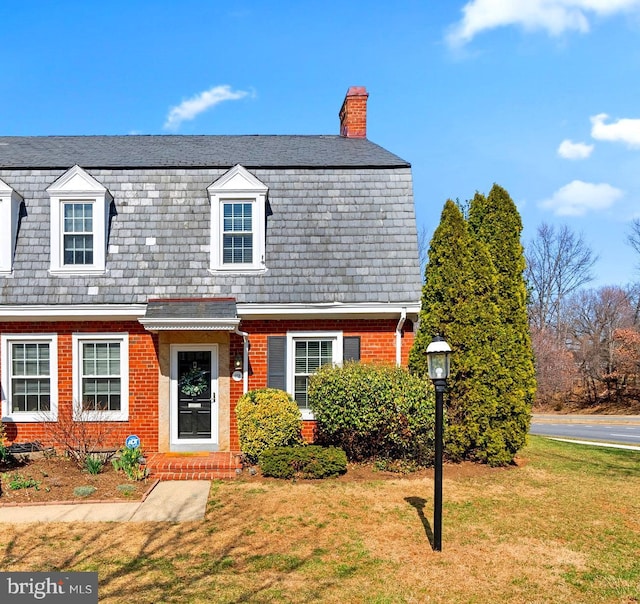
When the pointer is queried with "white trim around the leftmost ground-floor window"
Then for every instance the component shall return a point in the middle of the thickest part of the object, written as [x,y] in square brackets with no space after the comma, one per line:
[29,416]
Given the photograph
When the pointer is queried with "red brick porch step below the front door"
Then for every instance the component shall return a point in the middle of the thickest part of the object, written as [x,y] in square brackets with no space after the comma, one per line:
[194,466]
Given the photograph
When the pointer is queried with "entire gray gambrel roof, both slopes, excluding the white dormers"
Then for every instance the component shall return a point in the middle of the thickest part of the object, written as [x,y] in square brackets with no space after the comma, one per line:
[335,234]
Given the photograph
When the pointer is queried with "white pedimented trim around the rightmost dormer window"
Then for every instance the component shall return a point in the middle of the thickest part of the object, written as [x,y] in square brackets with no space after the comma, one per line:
[238,185]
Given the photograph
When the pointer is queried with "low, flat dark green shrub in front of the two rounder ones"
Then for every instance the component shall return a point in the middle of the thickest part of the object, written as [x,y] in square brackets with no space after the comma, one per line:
[310,461]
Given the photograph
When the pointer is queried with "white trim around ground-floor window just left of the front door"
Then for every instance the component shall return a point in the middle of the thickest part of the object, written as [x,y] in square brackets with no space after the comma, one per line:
[100,416]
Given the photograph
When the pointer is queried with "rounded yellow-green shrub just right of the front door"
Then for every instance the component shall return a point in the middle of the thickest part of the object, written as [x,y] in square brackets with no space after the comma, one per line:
[267,418]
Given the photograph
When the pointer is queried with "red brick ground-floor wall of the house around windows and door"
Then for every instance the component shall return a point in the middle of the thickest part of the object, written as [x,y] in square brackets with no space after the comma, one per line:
[378,343]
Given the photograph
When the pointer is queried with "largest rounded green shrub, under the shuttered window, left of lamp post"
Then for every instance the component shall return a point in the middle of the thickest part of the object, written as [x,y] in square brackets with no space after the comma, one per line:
[374,412]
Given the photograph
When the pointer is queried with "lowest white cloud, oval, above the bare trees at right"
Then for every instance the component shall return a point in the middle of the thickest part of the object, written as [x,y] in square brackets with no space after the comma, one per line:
[578,198]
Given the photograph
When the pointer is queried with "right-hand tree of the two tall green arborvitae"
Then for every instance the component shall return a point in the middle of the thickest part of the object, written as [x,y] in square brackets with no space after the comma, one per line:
[495,221]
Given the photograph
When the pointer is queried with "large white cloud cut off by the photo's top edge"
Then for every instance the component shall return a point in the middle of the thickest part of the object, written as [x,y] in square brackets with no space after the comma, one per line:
[553,16]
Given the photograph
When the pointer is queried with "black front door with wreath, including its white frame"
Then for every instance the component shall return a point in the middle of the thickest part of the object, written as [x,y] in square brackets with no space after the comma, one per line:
[194,396]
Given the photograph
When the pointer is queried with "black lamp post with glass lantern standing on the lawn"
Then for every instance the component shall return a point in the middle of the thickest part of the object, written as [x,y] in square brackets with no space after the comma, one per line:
[438,353]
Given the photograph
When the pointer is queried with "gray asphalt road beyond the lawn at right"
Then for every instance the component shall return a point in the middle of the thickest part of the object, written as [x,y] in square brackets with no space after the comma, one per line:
[621,429]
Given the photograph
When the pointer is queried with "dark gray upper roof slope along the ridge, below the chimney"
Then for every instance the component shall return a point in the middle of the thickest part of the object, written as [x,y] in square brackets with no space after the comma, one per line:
[191,151]
